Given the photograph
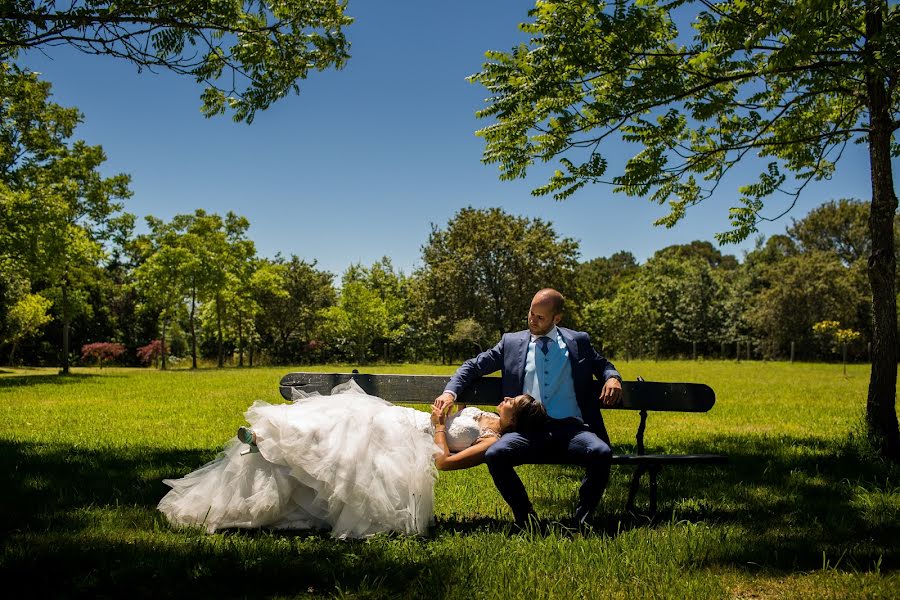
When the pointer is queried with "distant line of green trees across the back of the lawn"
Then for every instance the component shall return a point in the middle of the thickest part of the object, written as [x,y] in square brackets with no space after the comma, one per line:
[73,274]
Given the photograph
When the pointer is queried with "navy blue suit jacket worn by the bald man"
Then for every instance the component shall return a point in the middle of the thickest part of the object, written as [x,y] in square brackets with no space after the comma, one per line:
[509,356]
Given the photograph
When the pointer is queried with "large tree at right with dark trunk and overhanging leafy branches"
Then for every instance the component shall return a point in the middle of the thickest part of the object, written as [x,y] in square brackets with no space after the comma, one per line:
[792,81]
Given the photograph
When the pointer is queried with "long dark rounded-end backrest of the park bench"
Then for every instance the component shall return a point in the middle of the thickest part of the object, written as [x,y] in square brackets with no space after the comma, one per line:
[423,389]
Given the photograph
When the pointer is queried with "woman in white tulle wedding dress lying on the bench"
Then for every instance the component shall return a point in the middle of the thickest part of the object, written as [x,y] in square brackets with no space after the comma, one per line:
[349,462]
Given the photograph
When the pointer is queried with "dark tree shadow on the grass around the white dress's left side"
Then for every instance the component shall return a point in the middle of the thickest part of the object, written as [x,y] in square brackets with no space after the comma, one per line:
[54,541]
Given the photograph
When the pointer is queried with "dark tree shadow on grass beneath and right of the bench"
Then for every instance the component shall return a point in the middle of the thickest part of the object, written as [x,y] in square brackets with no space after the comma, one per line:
[793,500]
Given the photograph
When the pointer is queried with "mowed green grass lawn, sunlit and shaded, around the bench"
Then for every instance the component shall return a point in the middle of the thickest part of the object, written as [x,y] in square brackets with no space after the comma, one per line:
[802,510]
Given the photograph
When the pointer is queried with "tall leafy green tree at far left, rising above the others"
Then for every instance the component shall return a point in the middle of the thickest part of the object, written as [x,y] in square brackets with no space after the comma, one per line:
[57,209]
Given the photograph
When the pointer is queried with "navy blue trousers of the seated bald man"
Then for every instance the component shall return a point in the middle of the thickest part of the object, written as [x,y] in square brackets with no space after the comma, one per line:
[564,441]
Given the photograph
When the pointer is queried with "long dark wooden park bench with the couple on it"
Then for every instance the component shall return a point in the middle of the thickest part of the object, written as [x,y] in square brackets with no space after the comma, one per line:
[643,396]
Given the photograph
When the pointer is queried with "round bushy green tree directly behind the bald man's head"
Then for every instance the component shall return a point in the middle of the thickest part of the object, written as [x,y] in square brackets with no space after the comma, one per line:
[488,264]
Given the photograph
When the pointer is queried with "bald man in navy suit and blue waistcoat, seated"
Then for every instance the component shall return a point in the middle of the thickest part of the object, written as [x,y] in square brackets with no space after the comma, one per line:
[556,366]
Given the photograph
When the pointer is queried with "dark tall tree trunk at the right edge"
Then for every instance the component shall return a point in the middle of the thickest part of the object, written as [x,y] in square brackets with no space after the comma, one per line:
[881,415]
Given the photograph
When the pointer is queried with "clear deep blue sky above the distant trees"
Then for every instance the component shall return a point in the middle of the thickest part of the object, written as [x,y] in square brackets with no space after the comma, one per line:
[361,163]
